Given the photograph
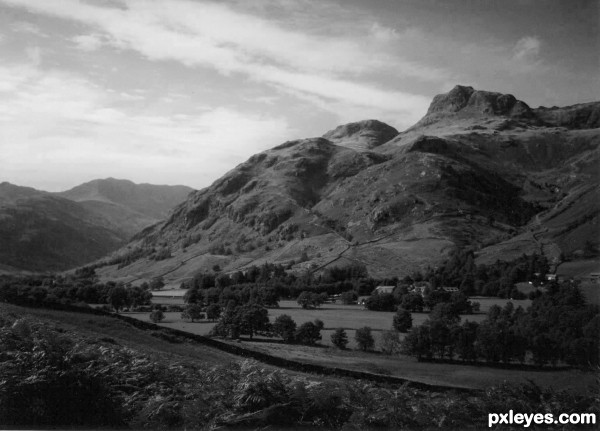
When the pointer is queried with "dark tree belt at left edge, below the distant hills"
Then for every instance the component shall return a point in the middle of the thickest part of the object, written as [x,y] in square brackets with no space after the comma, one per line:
[82,287]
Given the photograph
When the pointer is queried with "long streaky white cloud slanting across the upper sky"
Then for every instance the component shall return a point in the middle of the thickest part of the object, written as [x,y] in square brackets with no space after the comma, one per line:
[214,36]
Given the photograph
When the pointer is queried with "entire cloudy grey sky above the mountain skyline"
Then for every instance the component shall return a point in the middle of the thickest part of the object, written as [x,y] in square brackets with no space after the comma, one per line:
[181,91]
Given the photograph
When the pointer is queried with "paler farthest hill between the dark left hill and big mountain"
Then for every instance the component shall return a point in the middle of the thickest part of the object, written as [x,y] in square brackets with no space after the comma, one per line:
[127,207]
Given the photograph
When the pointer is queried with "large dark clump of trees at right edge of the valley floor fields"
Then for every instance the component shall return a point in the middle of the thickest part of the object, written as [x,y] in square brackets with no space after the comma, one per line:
[559,327]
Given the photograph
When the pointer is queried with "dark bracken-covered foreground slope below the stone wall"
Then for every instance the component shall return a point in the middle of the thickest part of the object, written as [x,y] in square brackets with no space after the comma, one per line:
[60,369]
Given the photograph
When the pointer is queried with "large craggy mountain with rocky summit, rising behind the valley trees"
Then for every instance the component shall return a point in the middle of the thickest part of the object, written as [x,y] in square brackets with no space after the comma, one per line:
[481,169]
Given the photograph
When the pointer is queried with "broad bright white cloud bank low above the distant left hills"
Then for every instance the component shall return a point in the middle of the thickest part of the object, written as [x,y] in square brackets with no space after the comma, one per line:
[54,121]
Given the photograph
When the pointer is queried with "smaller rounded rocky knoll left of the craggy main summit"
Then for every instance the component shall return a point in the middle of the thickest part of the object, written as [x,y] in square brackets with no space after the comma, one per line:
[362,135]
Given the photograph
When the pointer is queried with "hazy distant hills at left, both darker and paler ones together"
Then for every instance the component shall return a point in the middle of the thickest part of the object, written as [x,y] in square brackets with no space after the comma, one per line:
[41,231]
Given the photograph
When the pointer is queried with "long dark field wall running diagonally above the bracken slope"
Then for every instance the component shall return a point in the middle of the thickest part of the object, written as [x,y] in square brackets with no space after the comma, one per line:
[253,354]
